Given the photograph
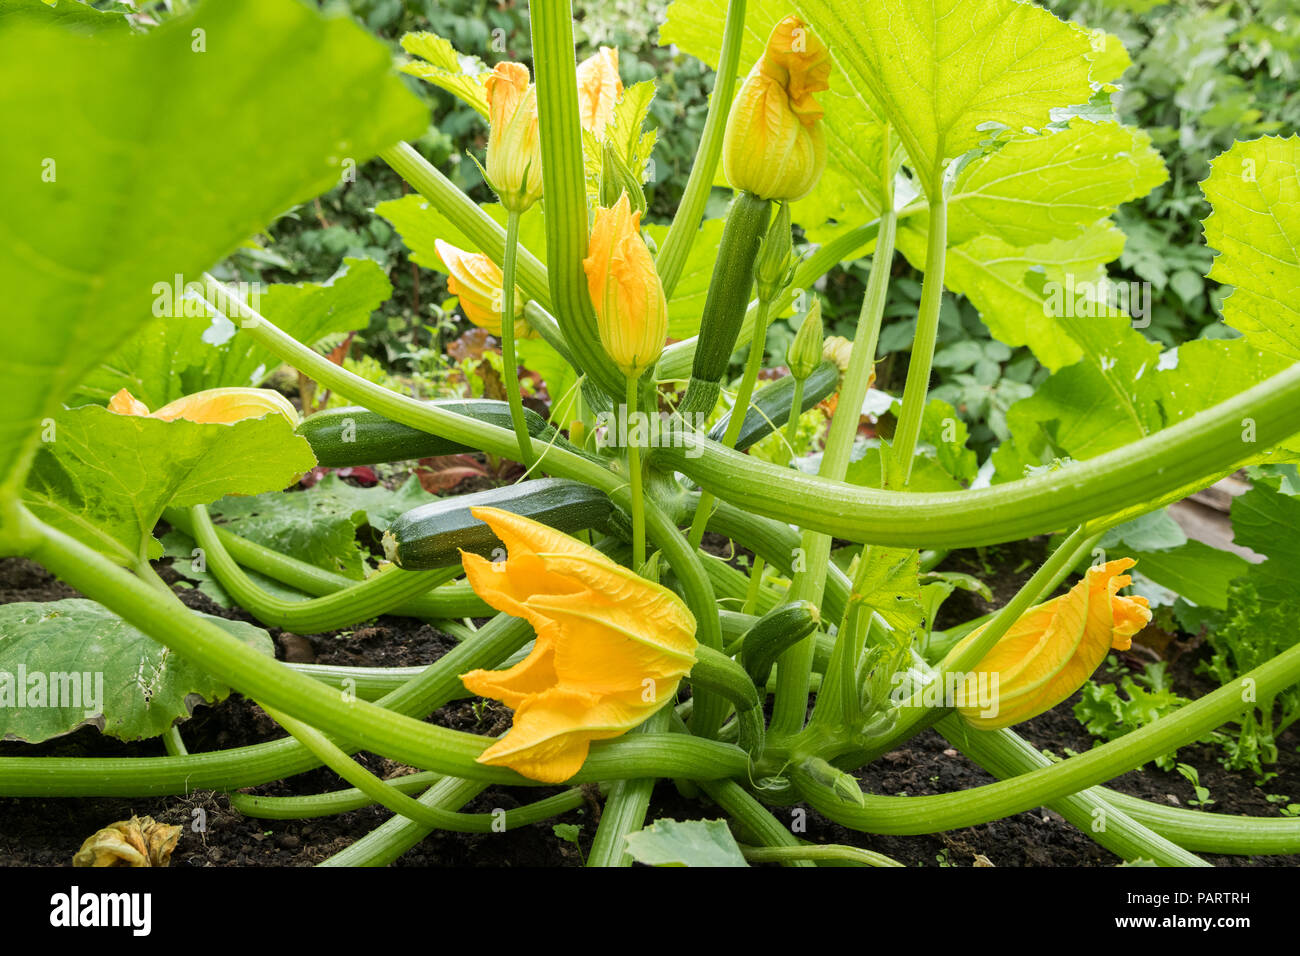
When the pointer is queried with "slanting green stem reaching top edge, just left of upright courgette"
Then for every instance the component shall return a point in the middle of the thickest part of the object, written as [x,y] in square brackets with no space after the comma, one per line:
[691,210]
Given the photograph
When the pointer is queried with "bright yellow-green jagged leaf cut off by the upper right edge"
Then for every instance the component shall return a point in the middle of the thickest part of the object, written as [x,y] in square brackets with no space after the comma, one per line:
[1255,191]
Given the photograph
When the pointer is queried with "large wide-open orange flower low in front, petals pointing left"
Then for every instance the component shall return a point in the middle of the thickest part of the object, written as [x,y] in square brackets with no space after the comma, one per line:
[612,647]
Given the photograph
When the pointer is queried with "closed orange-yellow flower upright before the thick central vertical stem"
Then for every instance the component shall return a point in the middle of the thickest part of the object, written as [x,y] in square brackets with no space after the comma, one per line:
[631,309]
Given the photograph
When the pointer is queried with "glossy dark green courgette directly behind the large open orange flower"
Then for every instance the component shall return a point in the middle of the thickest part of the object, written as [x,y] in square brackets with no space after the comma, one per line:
[434,535]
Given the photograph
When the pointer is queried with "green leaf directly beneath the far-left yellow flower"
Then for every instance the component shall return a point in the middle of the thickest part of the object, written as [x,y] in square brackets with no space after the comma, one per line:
[106,478]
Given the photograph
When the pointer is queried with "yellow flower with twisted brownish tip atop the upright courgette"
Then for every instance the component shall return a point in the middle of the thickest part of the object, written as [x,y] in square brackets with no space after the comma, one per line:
[775,146]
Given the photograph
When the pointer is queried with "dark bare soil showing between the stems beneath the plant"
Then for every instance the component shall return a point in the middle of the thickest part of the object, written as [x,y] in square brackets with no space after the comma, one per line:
[47,833]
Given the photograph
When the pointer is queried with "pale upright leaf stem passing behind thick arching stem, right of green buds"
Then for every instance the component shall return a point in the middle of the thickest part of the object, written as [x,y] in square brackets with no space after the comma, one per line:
[796,665]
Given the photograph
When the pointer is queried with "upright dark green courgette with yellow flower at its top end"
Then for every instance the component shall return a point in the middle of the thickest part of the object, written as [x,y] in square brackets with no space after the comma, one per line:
[727,300]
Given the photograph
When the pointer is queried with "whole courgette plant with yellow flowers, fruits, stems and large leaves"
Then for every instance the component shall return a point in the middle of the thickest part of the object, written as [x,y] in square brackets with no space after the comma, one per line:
[973,139]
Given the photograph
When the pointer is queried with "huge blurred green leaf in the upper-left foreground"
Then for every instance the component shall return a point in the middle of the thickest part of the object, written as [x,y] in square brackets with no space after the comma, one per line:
[133,159]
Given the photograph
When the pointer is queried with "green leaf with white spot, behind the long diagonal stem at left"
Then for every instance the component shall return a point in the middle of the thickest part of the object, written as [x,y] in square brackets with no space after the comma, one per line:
[176,357]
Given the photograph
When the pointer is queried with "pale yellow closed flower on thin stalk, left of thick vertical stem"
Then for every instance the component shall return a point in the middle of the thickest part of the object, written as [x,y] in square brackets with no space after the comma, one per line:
[514,142]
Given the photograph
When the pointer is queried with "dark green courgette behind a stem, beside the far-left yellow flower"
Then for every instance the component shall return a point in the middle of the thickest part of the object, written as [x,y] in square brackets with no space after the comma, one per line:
[345,438]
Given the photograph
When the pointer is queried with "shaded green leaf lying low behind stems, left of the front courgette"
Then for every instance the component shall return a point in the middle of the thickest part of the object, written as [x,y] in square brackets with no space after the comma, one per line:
[319,525]
